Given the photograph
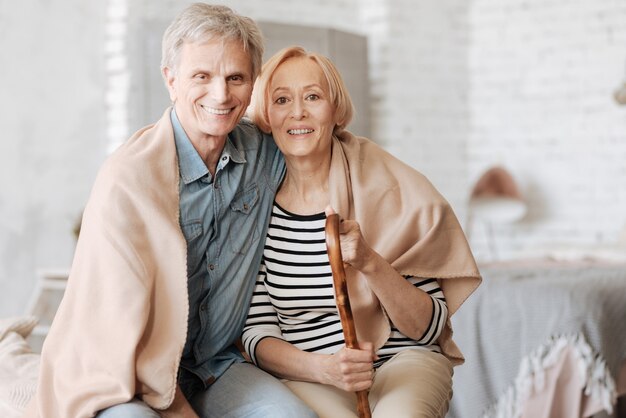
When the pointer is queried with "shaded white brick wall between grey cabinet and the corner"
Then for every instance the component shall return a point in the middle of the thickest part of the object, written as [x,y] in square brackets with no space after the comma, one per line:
[420,89]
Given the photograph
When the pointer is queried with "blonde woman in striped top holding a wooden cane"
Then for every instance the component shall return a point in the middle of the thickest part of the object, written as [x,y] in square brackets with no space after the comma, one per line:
[408,264]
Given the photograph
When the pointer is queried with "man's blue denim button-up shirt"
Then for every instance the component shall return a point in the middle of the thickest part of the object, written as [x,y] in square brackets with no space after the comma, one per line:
[223,218]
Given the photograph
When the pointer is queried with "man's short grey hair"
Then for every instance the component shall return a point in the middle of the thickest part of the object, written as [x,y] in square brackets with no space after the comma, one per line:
[200,22]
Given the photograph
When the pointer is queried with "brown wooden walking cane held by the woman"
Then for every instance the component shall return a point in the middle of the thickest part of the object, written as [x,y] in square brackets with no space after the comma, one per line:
[343,300]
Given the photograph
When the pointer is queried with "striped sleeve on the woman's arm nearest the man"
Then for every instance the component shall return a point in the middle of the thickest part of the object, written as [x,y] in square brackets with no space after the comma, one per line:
[262,320]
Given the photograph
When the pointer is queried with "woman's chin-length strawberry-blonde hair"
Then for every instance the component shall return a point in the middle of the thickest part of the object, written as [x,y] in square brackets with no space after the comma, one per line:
[339,96]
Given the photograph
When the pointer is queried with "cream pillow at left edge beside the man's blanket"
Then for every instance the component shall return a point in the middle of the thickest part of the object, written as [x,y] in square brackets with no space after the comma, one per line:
[19,366]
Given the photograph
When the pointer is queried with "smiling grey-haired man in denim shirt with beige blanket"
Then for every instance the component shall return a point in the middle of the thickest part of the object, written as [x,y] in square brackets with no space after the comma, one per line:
[170,248]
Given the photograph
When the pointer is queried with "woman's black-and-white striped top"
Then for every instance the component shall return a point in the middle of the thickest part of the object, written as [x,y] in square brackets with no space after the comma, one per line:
[294,298]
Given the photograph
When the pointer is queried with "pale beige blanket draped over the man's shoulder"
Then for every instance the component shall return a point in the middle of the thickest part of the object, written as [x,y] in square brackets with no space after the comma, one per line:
[121,327]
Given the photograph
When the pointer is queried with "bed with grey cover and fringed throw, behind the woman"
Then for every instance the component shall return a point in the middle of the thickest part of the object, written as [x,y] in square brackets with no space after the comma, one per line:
[543,339]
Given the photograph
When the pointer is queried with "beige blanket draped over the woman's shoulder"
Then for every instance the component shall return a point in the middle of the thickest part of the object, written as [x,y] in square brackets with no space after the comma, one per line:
[405,220]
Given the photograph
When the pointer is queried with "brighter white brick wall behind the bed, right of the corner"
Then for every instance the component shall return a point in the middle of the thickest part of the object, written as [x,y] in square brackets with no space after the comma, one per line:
[542,76]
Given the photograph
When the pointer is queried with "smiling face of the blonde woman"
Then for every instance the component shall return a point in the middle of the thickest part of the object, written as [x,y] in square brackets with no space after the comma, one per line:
[300,113]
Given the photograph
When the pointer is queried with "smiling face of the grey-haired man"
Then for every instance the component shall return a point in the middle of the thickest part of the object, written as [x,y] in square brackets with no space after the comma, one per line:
[210,87]
